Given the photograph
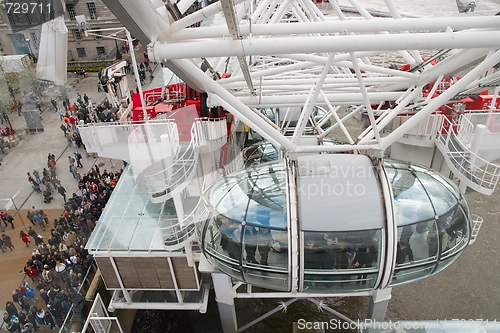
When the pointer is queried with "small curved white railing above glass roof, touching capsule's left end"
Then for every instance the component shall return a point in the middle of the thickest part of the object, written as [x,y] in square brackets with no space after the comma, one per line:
[177,233]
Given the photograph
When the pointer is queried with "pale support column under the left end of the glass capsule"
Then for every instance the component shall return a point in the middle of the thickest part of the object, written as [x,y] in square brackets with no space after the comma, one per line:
[225,302]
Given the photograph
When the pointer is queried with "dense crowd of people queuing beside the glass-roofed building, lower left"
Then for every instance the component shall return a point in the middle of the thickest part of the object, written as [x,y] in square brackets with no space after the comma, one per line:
[58,265]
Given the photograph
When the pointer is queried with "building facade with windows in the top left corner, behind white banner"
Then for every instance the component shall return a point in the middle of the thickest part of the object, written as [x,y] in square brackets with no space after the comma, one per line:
[20,35]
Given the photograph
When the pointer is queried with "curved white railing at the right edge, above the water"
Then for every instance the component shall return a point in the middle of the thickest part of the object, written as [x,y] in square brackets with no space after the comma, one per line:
[475,170]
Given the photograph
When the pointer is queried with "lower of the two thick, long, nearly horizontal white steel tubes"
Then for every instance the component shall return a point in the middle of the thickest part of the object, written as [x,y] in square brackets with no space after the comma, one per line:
[323,44]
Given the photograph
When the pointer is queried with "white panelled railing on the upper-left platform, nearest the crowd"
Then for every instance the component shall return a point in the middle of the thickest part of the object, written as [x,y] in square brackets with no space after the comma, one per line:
[99,135]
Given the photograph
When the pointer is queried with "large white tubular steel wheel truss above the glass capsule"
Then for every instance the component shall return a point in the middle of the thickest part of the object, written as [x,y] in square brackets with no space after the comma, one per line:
[289,53]
